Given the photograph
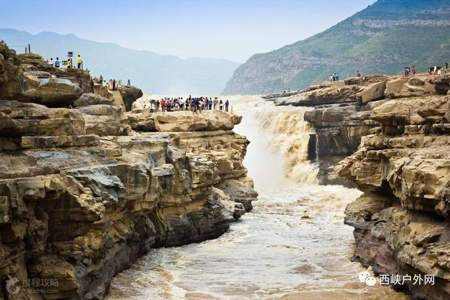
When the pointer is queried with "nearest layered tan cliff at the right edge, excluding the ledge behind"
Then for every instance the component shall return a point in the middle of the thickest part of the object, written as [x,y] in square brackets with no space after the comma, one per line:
[402,221]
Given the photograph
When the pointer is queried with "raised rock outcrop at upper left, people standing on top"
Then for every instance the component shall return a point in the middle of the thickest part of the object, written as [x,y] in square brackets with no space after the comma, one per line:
[28,78]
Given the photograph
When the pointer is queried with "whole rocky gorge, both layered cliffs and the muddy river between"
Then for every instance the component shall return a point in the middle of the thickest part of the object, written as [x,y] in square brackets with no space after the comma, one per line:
[101,198]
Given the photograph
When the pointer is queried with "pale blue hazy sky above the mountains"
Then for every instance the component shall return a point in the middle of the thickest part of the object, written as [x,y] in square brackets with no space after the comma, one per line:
[231,29]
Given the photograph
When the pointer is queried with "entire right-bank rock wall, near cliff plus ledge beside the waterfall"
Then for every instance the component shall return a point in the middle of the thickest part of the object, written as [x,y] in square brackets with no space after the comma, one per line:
[396,131]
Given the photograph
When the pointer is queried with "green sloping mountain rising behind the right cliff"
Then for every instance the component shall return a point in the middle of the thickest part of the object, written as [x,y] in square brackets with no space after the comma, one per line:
[383,38]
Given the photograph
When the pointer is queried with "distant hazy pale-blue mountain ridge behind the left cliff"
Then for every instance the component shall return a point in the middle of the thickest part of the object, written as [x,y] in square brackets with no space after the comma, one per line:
[155,73]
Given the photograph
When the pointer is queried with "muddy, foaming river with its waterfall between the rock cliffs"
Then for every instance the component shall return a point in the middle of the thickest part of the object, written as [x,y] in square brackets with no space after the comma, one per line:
[293,245]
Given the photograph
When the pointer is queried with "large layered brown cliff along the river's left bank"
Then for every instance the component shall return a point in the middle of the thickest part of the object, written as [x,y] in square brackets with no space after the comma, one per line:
[86,188]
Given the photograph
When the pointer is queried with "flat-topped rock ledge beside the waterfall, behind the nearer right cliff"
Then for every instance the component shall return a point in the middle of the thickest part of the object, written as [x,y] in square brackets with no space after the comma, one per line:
[342,109]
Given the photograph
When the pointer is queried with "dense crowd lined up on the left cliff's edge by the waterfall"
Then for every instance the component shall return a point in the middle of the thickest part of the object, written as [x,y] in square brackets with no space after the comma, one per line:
[194,104]
